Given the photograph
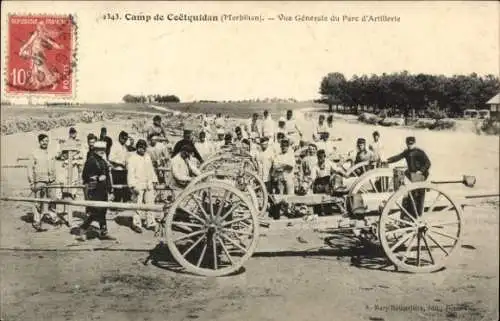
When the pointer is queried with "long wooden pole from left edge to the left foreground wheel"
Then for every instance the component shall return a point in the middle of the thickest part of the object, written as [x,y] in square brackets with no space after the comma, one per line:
[99,204]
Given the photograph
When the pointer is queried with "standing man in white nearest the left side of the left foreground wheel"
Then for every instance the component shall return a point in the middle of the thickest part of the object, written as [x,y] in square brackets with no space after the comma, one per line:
[141,179]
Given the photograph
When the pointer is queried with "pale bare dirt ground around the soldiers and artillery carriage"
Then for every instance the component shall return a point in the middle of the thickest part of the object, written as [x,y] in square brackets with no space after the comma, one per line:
[45,276]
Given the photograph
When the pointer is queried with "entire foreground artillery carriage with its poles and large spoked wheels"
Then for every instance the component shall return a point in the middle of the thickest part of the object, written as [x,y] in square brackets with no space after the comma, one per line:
[212,226]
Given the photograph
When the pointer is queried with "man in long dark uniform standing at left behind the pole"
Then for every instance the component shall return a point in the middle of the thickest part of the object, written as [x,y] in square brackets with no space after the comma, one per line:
[98,186]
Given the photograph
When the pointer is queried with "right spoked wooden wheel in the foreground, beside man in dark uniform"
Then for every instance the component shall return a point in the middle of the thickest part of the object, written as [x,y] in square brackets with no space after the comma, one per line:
[419,227]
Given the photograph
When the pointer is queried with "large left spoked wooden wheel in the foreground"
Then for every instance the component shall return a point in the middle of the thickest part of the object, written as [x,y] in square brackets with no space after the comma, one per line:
[212,229]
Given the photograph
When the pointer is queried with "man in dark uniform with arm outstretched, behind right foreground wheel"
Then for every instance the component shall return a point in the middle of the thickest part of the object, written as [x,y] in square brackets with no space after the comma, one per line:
[418,170]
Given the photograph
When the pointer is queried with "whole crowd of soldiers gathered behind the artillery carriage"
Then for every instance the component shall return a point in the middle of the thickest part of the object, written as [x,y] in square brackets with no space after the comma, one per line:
[129,172]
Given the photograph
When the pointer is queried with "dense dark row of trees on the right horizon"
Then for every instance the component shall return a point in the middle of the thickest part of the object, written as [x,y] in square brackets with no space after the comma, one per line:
[404,93]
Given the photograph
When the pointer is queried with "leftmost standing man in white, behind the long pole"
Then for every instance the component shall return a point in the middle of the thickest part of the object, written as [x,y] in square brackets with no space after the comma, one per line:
[42,174]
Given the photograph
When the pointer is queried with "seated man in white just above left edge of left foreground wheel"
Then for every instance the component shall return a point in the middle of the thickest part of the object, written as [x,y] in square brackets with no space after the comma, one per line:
[183,167]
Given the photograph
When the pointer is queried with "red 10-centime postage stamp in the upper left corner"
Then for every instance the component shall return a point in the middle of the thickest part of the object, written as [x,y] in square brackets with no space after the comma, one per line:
[41,55]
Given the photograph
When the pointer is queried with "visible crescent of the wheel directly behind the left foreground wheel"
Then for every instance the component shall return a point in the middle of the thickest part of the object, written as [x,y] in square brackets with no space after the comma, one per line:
[246,181]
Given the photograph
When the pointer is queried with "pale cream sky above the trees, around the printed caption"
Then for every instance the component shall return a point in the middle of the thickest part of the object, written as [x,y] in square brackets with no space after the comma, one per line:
[242,60]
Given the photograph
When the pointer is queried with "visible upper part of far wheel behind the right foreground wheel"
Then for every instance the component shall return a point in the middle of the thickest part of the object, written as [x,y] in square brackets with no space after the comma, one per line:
[374,181]
